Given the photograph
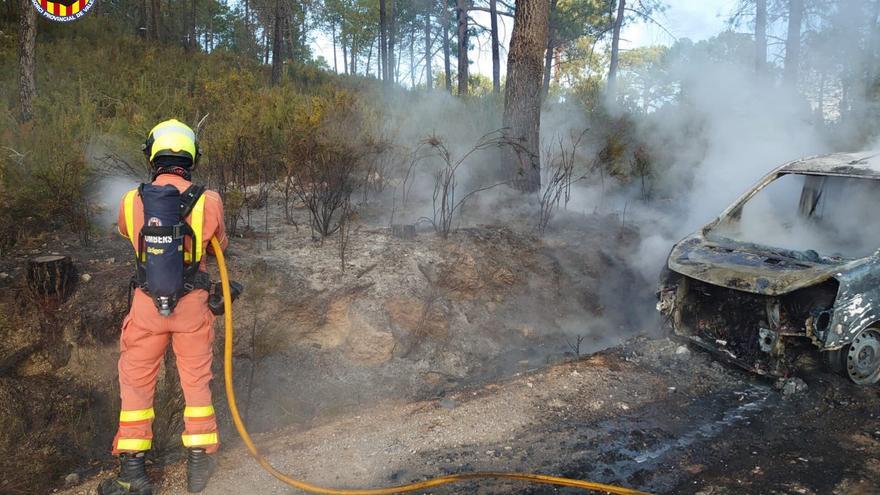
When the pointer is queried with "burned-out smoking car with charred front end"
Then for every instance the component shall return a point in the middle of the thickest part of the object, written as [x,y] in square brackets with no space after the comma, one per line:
[793,264]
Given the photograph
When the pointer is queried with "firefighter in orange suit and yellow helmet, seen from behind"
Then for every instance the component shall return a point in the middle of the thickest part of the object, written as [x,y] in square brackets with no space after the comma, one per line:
[170,223]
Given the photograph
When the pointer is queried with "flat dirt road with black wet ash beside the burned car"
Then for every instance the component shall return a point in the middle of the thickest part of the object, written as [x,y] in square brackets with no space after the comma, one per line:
[649,415]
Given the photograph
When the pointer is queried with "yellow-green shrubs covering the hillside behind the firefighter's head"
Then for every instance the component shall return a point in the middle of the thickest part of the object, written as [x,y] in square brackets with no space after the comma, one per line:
[102,89]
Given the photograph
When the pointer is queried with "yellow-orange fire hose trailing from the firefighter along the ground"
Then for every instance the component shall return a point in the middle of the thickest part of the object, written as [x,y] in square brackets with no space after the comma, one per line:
[421,485]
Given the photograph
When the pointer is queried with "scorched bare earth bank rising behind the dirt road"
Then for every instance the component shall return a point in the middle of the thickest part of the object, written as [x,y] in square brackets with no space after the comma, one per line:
[406,319]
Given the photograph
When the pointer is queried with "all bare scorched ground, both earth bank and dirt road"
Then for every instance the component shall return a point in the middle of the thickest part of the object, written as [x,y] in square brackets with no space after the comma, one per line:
[428,356]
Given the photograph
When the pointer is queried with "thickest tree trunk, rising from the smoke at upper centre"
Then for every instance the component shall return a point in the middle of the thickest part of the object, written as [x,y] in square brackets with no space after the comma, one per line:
[522,95]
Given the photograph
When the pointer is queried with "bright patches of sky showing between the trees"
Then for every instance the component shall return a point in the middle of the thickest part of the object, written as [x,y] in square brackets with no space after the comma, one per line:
[694,19]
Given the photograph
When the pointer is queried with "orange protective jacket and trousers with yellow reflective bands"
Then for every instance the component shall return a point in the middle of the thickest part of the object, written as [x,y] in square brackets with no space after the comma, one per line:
[145,337]
